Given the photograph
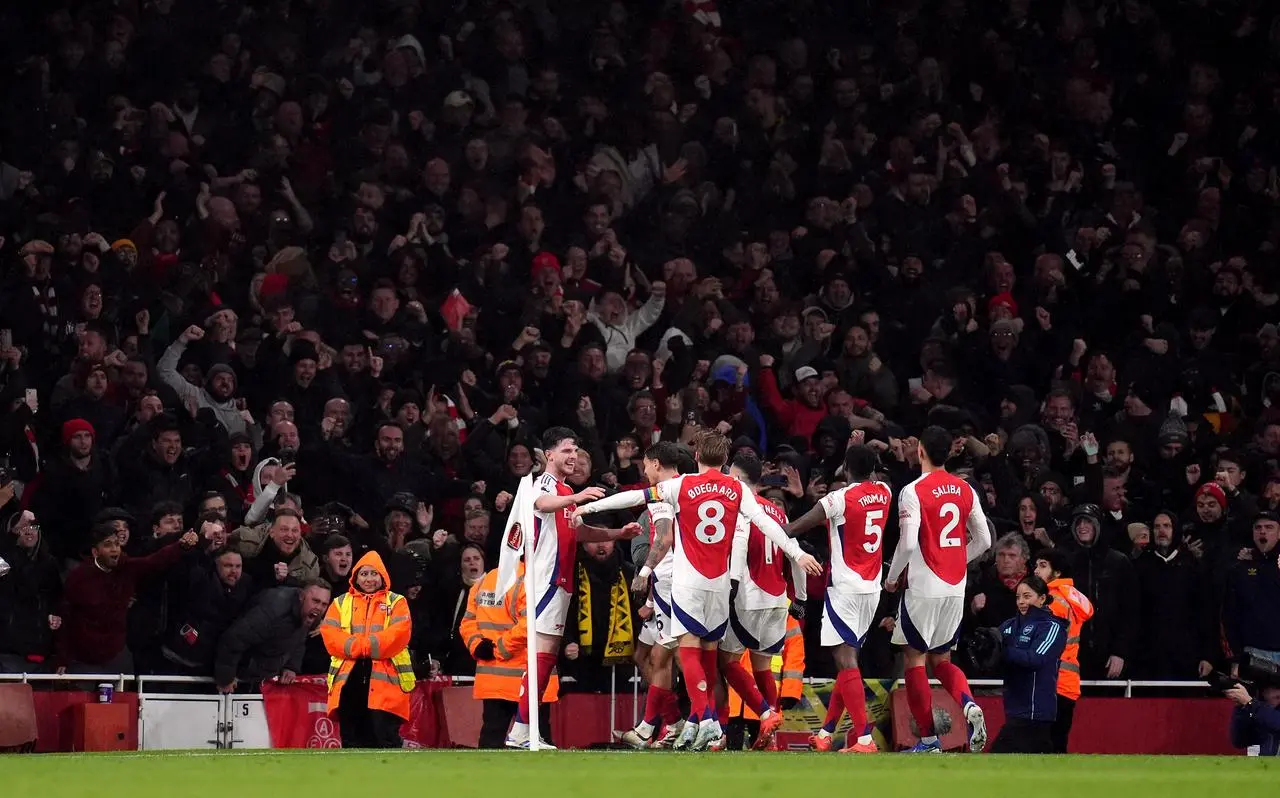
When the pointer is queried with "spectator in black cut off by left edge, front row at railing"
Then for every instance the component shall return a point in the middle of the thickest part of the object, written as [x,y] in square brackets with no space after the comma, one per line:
[29,596]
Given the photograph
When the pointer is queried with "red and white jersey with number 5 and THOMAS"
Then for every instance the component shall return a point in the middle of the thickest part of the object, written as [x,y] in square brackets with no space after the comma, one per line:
[856,522]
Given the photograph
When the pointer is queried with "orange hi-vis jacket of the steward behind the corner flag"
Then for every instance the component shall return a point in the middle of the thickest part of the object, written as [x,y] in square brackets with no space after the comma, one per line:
[504,621]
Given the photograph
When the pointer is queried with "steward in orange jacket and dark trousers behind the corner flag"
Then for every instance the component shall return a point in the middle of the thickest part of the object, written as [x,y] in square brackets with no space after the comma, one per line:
[496,632]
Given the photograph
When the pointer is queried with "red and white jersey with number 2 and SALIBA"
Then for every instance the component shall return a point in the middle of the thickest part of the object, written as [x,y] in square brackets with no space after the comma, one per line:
[935,513]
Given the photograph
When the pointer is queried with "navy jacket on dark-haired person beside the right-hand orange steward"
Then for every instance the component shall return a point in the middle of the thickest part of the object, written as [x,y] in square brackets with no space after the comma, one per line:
[1034,645]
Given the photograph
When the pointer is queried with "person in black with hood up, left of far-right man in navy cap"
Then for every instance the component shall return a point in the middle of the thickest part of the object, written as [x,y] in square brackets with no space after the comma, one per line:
[1176,632]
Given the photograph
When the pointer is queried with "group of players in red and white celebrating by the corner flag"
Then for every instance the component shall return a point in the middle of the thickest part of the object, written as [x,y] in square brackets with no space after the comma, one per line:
[717,586]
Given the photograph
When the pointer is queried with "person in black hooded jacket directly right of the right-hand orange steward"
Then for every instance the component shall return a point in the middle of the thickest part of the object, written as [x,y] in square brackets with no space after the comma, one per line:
[1107,577]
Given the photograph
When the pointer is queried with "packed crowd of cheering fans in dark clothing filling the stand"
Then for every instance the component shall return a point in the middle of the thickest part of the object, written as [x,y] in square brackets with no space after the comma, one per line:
[309,279]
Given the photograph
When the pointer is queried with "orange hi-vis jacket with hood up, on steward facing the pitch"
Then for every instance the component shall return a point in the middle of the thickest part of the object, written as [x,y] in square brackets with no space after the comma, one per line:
[371,627]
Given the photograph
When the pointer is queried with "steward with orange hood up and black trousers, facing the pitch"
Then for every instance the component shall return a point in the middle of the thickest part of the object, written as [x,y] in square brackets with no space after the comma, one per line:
[368,632]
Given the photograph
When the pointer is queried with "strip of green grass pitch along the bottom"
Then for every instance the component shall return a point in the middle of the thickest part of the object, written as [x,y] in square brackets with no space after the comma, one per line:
[589,774]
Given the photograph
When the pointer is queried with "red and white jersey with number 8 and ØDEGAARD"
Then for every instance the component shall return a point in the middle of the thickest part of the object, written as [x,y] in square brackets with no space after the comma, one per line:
[707,531]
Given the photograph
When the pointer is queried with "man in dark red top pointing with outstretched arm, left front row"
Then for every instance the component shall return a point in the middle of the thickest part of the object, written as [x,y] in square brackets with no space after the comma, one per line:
[97,601]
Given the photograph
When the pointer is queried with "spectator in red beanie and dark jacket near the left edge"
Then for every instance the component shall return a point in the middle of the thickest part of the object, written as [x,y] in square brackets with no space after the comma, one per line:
[75,489]
